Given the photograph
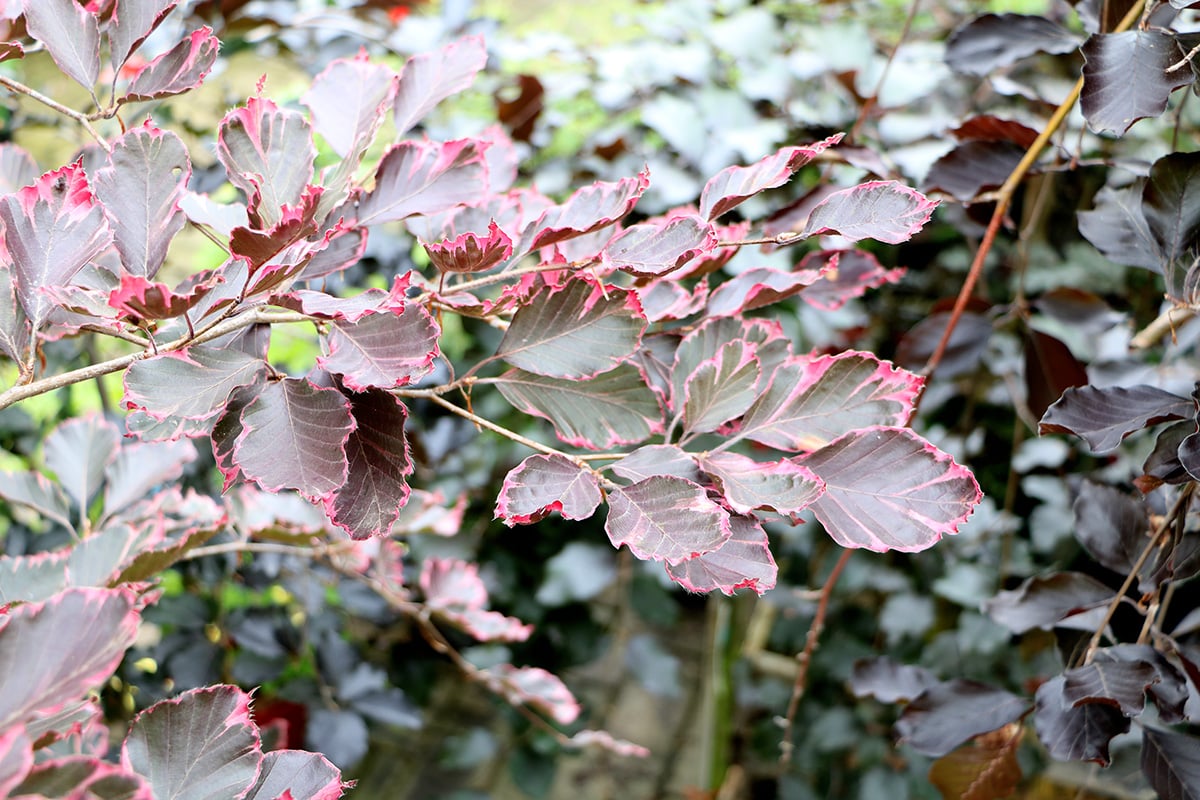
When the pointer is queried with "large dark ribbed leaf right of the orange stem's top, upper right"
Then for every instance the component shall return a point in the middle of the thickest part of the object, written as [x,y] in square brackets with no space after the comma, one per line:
[1126,77]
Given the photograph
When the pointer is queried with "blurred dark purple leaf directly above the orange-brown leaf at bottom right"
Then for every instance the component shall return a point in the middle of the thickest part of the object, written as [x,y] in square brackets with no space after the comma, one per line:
[947,715]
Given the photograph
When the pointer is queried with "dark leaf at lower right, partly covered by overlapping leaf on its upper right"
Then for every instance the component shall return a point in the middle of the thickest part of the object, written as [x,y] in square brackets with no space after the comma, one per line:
[1076,733]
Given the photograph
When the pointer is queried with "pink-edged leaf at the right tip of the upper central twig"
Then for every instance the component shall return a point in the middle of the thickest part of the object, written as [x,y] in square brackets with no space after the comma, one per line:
[881,210]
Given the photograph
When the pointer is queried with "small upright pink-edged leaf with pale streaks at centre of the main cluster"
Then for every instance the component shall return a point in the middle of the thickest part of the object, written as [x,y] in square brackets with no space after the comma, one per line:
[721,389]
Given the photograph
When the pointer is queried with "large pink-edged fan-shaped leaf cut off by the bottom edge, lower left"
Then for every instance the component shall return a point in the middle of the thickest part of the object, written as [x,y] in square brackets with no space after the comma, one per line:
[202,745]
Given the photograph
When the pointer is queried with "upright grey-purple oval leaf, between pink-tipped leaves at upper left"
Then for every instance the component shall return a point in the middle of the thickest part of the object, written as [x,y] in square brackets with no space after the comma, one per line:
[141,190]
